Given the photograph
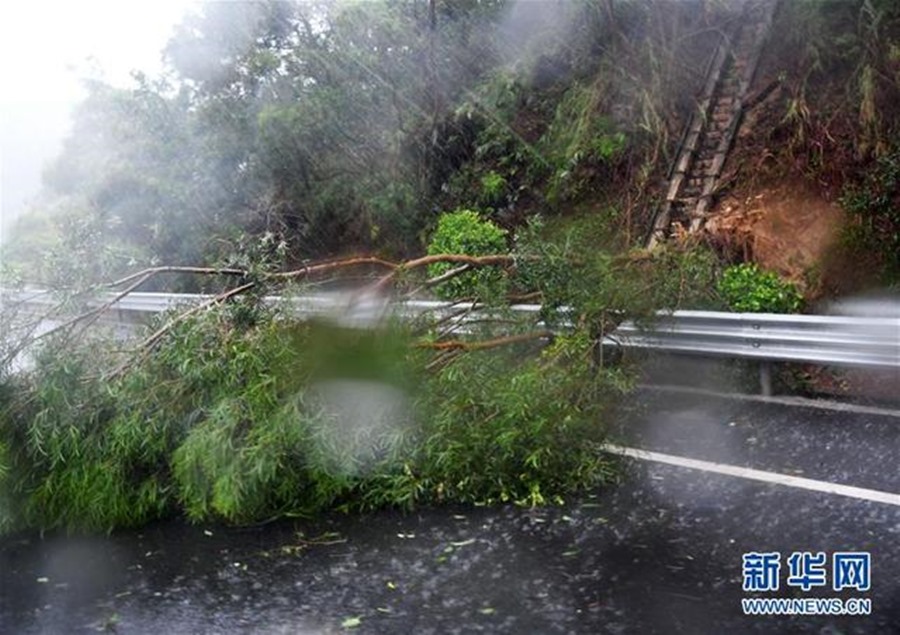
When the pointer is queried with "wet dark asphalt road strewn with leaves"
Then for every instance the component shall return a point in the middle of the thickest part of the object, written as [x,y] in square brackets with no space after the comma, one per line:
[659,553]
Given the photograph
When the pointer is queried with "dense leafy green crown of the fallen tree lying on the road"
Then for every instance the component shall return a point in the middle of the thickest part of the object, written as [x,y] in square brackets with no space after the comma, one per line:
[248,421]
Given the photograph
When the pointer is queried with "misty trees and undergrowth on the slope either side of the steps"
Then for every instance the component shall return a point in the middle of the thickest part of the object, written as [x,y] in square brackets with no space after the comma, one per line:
[335,126]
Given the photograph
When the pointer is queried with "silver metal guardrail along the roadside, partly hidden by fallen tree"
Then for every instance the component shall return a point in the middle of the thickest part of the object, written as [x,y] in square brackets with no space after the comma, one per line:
[818,339]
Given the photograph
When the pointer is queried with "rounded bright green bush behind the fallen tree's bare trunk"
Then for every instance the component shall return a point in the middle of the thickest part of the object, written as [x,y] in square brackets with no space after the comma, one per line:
[465,232]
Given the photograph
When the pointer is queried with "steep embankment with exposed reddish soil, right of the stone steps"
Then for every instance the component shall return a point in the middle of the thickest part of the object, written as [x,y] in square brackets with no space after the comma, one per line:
[812,188]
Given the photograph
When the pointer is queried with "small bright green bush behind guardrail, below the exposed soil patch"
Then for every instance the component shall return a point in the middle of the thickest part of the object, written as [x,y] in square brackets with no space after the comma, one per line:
[747,288]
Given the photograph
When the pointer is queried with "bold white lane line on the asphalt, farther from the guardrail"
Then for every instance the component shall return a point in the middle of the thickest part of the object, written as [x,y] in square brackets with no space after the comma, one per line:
[775,478]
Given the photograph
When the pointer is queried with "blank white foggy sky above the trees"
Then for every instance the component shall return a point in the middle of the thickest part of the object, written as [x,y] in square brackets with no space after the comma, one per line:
[47,49]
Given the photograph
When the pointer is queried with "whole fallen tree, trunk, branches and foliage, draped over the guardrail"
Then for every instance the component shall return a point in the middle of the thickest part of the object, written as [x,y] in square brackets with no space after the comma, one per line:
[239,412]
